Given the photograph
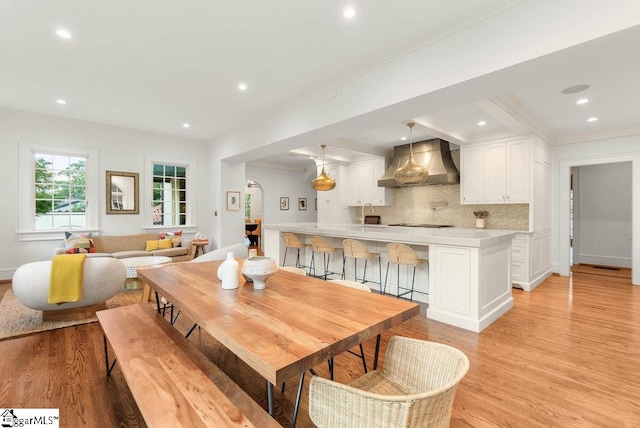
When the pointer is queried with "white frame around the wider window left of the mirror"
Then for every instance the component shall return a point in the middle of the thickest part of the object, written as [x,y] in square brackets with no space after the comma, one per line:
[26,184]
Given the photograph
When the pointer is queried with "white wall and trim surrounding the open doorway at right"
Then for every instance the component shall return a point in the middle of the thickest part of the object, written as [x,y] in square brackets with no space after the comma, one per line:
[626,149]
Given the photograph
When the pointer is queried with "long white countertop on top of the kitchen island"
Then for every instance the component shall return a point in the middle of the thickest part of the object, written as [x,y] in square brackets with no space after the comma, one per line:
[407,235]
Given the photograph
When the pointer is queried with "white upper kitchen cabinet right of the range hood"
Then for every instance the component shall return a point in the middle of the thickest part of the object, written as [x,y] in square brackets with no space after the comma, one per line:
[496,173]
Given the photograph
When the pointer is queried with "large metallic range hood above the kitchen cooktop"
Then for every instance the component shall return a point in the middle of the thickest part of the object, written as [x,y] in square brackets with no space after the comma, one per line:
[434,154]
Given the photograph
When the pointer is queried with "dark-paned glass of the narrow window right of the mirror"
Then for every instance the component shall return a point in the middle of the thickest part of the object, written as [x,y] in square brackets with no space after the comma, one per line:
[169,194]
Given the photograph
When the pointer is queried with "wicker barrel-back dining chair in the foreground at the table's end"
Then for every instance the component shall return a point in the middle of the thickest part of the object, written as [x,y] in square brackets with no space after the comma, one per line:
[416,388]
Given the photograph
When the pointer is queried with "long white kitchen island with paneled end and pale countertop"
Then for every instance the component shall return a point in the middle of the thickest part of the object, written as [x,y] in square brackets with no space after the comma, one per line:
[468,278]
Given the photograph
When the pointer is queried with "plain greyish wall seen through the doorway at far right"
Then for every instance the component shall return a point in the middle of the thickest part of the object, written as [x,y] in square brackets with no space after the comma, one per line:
[602,220]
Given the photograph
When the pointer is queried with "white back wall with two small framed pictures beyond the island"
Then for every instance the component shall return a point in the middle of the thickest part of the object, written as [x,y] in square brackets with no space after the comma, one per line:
[277,183]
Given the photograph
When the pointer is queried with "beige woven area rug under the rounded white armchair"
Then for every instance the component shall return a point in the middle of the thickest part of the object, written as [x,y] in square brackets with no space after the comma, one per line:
[18,320]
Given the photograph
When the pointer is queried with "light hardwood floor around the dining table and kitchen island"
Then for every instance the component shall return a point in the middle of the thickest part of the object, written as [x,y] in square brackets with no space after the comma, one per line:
[566,355]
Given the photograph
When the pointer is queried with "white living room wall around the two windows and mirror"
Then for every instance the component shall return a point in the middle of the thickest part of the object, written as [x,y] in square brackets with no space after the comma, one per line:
[119,149]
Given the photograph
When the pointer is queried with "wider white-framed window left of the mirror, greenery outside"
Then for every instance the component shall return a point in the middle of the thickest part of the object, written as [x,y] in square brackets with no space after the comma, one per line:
[57,185]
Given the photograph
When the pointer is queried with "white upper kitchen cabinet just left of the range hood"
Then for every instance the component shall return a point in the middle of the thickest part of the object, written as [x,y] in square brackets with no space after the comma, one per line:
[362,186]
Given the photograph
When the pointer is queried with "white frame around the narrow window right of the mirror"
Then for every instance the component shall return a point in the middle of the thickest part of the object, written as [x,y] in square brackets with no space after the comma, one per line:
[147,210]
